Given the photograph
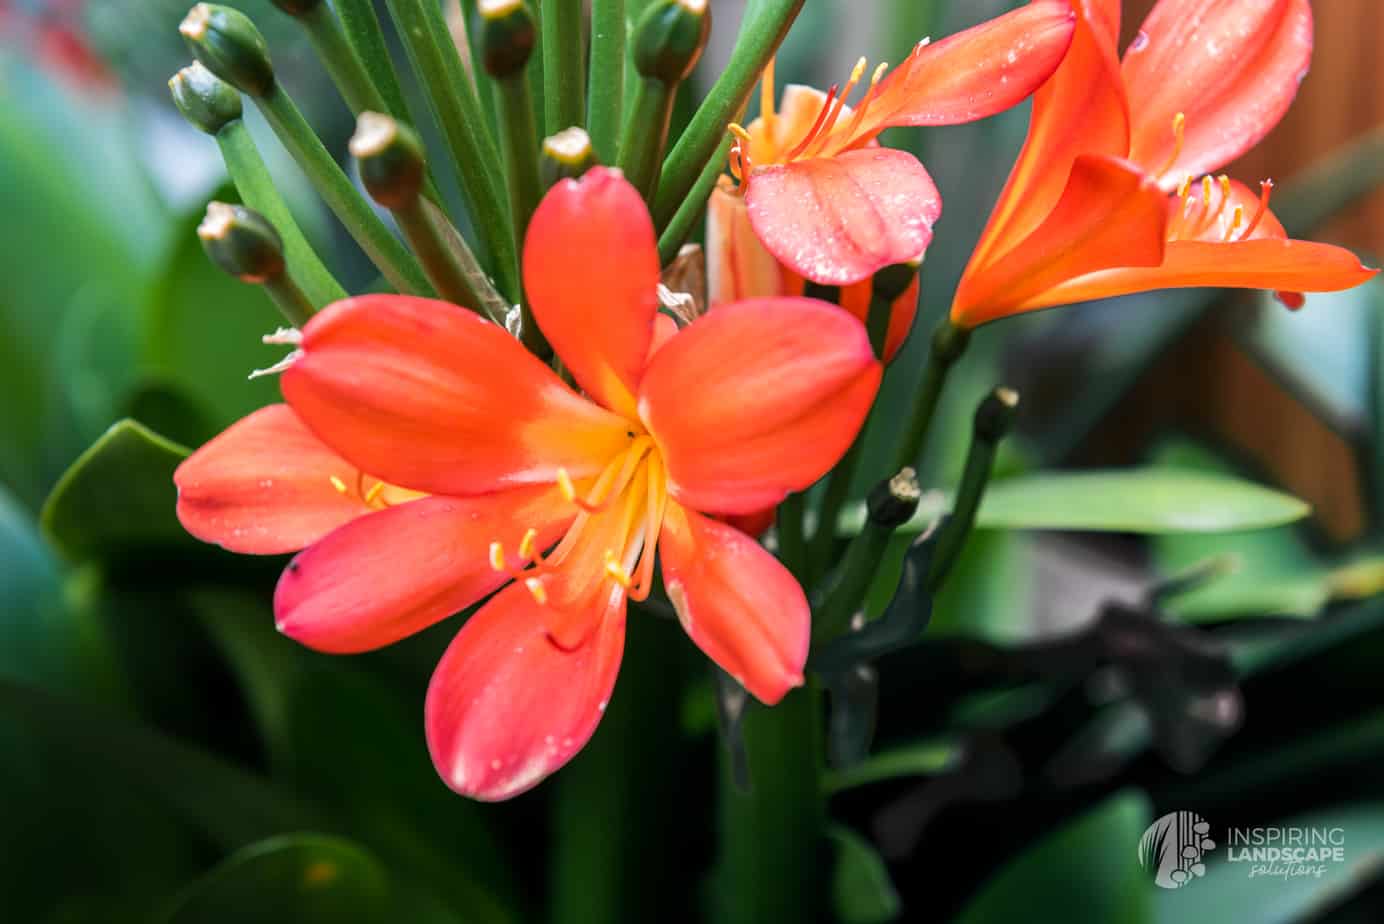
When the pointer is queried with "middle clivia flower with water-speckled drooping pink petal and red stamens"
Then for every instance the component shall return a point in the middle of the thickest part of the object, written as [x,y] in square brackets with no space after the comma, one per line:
[820,200]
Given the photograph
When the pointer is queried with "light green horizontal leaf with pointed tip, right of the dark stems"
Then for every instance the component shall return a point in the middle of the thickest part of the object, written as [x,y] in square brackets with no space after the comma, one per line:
[1148,500]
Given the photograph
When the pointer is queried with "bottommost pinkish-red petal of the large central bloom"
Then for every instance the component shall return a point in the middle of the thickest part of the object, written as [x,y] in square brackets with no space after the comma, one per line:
[507,708]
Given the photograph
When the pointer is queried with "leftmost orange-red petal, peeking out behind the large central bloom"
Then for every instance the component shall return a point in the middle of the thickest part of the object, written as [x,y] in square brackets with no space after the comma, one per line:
[265,486]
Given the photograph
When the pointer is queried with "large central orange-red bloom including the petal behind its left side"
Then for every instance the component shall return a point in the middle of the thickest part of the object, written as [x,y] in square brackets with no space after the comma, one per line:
[485,470]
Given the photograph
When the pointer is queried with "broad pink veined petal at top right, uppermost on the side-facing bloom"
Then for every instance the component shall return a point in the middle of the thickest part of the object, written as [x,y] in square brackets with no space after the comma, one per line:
[1230,68]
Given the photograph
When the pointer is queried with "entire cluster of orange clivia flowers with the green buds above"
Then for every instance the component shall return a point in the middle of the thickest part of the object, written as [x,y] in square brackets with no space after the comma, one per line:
[427,460]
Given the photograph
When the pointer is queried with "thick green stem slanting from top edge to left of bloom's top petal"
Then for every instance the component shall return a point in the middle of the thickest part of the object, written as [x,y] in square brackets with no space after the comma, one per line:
[457,109]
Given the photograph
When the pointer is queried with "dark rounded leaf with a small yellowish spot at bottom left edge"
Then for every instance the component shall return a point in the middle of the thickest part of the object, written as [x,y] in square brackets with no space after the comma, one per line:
[297,878]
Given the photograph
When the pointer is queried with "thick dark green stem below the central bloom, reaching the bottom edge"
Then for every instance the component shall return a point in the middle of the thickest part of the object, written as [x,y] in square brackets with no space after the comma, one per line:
[772,836]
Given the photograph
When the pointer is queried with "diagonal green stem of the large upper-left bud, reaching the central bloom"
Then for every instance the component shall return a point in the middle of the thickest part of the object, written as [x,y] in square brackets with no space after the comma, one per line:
[337,190]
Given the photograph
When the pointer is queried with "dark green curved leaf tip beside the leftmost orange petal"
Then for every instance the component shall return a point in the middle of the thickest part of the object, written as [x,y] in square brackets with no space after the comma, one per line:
[118,497]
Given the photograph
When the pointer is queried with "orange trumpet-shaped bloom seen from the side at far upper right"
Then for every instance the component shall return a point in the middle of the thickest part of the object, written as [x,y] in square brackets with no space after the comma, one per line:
[1113,192]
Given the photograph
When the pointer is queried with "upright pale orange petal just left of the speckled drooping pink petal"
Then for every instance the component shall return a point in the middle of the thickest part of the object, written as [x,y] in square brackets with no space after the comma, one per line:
[737,264]
